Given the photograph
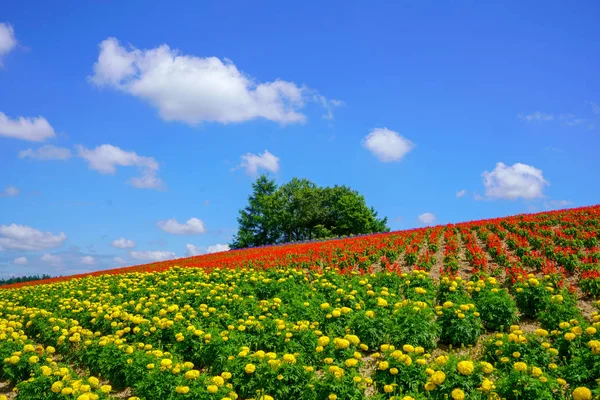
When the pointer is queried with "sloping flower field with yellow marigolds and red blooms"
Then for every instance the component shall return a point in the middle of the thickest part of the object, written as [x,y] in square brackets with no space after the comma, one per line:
[497,309]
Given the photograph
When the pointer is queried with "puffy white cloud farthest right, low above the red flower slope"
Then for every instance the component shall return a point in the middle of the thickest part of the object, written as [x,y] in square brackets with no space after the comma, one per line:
[517,181]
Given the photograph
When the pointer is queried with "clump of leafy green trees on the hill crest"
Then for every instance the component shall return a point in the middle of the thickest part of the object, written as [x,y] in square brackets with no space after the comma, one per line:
[301,210]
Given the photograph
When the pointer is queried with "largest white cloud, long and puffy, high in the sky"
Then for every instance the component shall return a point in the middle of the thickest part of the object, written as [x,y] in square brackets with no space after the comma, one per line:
[194,89]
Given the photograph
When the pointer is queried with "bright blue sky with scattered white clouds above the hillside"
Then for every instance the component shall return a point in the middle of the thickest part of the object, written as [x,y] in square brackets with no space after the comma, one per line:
[146,121]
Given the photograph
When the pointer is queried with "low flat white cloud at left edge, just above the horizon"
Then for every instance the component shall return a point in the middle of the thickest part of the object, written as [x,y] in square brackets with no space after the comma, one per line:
[21,237]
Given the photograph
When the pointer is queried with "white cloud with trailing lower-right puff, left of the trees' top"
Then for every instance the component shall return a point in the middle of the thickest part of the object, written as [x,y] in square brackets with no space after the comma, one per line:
[106,158]
